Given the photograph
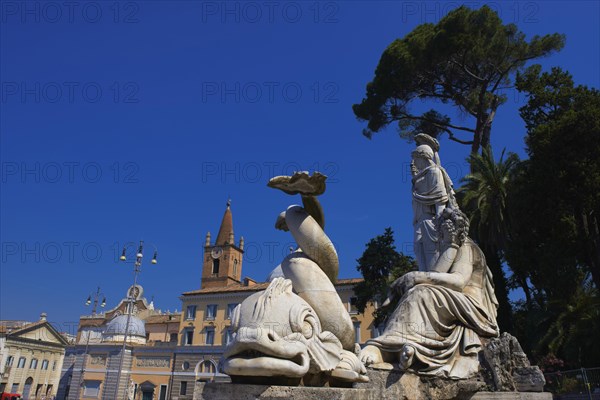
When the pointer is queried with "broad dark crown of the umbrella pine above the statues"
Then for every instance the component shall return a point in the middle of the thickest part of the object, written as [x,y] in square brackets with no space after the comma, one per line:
[466,60]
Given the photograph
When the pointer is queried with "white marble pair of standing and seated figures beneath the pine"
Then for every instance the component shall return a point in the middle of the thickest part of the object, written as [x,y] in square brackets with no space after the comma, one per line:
[449,304]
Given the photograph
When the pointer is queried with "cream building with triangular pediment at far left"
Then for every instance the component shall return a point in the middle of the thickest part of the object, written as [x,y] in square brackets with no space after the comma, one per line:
[31,358]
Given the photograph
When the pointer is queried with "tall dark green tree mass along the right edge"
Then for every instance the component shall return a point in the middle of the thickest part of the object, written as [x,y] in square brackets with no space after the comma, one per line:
[554,202]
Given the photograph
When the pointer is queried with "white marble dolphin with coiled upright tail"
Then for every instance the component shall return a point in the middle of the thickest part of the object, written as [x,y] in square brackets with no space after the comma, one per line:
[298,328]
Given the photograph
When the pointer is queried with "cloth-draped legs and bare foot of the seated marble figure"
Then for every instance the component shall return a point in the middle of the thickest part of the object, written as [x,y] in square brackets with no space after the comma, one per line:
[434,330]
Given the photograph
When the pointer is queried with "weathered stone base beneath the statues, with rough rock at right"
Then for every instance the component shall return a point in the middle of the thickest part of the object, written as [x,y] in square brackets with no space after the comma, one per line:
[505,374]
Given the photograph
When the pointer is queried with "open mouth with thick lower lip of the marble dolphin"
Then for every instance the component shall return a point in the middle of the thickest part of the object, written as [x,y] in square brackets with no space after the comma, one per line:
[257,363]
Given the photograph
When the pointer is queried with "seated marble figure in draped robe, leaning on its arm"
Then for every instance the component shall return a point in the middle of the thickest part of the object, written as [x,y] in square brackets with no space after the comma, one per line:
[443,312]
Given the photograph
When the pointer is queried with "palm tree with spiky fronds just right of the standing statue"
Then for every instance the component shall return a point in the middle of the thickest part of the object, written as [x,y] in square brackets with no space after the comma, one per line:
[483,198]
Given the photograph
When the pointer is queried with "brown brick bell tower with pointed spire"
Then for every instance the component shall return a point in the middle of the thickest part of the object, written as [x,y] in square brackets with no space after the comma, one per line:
[223,259]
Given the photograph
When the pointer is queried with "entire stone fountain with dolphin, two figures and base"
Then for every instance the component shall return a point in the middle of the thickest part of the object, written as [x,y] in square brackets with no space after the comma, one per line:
[296,339]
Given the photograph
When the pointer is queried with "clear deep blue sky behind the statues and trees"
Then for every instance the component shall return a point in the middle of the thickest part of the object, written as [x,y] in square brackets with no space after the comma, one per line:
[137,120]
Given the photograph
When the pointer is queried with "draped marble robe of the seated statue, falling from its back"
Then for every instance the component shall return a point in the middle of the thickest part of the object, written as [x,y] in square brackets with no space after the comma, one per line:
[444,325]
